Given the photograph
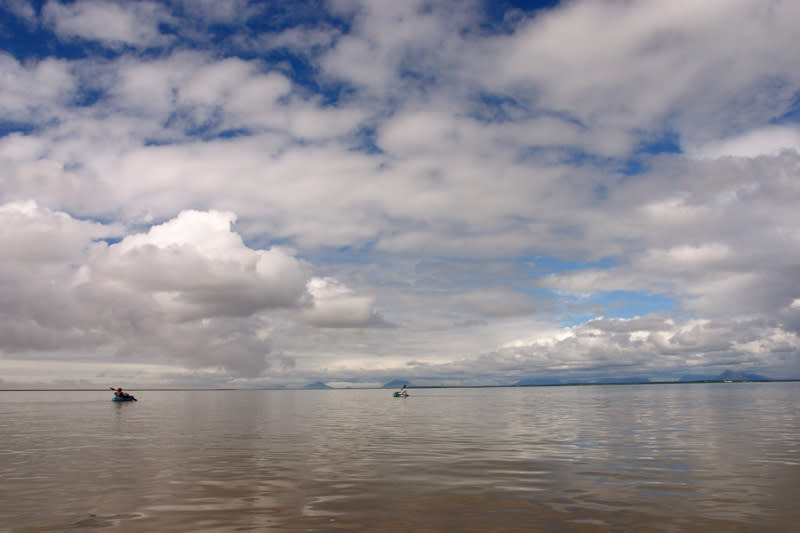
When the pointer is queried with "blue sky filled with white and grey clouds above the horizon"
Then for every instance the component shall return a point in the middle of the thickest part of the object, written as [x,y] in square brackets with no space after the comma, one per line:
[241,193]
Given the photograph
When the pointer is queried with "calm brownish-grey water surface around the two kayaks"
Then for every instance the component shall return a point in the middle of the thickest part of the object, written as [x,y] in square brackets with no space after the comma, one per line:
[682,457]
